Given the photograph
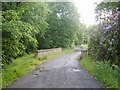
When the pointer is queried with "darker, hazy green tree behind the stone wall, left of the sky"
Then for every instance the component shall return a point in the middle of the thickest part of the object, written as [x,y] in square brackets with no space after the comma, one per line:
[64,26]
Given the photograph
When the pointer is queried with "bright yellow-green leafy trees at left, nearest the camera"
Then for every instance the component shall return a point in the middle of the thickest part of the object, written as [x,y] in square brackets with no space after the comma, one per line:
[21,23]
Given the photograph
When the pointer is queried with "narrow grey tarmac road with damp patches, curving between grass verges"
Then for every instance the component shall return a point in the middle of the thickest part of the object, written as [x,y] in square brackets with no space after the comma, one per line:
[60,72]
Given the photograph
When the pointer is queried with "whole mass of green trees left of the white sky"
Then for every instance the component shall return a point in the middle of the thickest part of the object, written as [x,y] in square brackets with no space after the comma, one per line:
[30,26]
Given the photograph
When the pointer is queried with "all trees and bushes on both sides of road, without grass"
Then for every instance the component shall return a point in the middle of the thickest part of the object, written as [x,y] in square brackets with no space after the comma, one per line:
[29,26]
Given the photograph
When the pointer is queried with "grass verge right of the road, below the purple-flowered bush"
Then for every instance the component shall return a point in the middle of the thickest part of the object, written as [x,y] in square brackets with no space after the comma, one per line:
[102,71]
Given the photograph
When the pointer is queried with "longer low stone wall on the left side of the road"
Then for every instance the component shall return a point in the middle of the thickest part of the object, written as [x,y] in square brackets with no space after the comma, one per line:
[44,52]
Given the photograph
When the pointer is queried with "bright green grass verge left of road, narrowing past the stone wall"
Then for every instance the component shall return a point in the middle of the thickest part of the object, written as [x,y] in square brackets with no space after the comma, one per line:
[24,65]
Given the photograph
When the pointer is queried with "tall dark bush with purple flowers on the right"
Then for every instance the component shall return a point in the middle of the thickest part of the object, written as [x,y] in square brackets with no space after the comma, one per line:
[105,38]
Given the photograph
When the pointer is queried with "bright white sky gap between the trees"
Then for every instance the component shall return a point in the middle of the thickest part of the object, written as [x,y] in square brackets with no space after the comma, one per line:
[86,10]
